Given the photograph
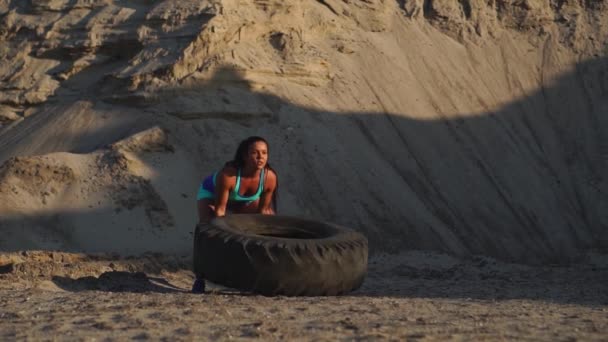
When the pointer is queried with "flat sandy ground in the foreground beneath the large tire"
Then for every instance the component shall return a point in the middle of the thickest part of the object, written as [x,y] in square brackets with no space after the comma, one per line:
[410,296]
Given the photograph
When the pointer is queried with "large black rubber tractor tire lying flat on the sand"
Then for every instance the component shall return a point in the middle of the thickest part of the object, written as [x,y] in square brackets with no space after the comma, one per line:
[279,255]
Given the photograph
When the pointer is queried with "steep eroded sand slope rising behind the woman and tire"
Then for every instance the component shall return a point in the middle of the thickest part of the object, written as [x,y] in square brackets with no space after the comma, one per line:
[456,126]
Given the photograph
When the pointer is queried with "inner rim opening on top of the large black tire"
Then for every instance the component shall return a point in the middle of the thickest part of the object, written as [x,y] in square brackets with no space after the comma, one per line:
[279,226]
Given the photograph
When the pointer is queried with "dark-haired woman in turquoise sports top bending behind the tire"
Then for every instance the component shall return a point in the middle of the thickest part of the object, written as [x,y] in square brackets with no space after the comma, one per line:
[247,184]
